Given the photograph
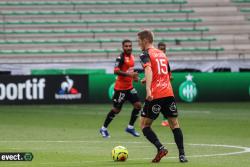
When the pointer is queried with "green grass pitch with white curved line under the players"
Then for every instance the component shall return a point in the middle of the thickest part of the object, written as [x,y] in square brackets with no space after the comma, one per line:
[215,134]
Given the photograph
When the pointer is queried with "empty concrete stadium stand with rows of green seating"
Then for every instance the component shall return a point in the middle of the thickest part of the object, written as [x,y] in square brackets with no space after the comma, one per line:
[89,31]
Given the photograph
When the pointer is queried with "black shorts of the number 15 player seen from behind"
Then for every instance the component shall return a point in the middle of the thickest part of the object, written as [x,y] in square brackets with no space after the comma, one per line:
[166,105]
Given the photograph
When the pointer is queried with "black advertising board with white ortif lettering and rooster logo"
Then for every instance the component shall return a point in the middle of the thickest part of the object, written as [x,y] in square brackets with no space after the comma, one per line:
[43,89]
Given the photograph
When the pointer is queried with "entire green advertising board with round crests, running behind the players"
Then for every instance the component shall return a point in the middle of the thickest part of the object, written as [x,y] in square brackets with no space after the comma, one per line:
[188,87]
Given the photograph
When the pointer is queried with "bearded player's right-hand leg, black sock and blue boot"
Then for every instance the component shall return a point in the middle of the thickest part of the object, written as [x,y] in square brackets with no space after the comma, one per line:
[134,99]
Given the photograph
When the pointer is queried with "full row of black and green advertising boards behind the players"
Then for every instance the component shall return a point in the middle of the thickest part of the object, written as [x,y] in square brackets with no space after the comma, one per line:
[98,88]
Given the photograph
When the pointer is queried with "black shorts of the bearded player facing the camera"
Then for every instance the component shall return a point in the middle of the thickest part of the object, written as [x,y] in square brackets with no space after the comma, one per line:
[120,96]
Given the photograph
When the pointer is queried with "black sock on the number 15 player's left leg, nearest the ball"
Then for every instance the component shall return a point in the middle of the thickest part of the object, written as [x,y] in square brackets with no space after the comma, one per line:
[151,136]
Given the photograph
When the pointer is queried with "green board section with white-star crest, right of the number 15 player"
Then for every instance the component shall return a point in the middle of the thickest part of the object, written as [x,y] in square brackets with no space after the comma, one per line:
[215,87]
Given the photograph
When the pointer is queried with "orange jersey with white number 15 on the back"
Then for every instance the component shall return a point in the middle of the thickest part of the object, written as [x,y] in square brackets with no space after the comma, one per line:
[157,60]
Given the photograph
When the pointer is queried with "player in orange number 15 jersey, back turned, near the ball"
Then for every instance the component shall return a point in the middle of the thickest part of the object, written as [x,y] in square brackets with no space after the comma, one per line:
[159,96]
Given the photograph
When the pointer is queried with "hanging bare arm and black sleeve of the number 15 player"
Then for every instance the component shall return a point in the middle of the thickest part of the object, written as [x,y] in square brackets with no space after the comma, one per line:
[146,64]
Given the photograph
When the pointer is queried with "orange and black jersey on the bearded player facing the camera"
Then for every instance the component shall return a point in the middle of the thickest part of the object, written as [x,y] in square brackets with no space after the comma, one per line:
[124,63]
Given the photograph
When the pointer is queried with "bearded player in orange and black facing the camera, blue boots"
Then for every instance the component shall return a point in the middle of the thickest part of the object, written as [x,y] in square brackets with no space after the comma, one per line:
[124,90]
